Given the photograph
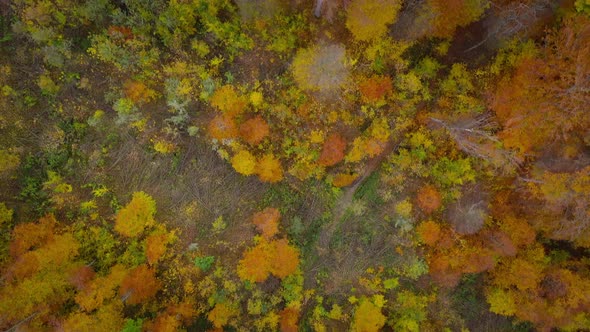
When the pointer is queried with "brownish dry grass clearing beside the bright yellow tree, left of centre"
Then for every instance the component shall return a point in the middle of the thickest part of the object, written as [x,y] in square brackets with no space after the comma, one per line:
[191,190]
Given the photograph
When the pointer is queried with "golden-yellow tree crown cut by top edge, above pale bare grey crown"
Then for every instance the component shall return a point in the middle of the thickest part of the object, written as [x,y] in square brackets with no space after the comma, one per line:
[368,19]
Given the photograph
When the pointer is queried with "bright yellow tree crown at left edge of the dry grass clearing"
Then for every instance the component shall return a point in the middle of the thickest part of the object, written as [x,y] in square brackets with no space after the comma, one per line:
[136,216]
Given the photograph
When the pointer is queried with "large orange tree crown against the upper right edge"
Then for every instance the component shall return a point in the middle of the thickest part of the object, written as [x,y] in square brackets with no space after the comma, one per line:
[544,101]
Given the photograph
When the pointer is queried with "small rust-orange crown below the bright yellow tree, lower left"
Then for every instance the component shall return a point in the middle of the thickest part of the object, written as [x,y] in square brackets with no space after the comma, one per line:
[139,285]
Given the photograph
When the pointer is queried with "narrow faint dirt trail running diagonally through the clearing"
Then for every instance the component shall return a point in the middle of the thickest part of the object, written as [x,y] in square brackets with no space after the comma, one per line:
[347,197]
